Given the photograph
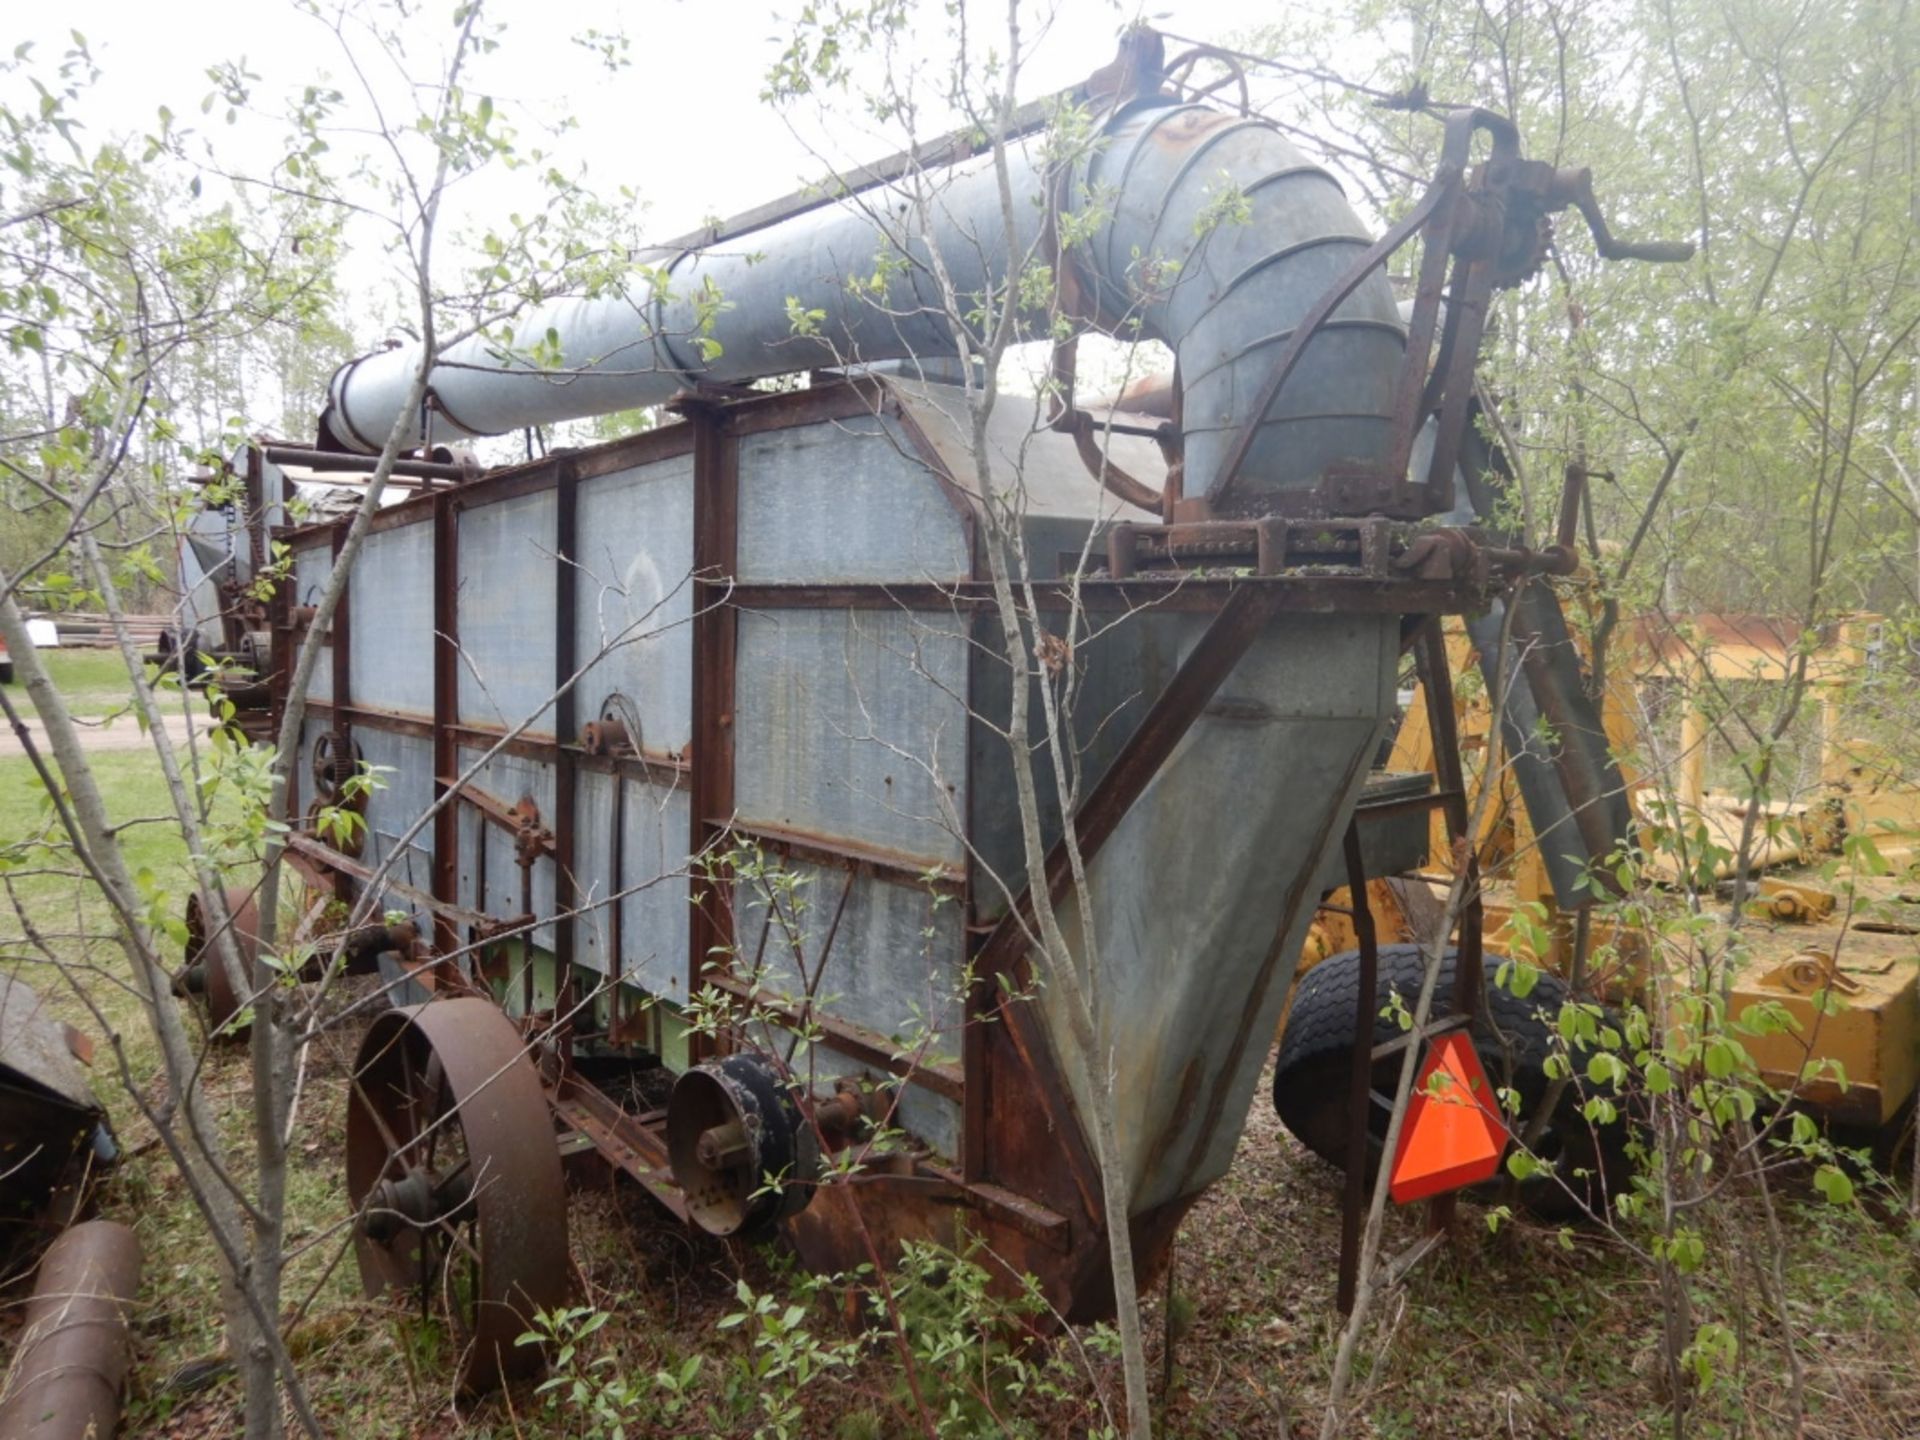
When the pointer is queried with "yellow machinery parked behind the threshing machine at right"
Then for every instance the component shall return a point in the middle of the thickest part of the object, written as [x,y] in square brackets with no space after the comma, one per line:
[1819,930]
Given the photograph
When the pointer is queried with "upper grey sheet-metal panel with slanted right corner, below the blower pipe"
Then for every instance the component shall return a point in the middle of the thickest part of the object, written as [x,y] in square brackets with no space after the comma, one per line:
[844,502]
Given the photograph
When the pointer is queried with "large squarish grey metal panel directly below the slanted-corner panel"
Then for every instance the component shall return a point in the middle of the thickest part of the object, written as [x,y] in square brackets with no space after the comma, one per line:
[852,725]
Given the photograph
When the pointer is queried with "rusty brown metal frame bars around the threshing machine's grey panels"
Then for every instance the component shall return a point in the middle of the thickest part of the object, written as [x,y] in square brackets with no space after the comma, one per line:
[1005,1053]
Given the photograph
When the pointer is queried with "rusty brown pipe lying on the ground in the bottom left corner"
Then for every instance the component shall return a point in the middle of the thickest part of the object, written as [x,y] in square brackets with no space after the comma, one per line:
[72,1360]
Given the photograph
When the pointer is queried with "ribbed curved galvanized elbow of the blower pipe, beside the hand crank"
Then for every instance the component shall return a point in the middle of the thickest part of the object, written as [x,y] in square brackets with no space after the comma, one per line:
[1222,237]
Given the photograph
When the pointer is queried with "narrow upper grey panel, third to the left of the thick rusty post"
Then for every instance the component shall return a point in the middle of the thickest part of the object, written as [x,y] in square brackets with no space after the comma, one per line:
[391,621]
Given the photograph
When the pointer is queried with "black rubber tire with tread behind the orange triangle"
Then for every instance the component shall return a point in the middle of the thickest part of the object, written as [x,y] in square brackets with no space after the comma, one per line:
[1312,1074]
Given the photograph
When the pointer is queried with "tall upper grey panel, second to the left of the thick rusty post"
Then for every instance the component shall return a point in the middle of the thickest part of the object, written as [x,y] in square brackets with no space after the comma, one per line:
[506,612]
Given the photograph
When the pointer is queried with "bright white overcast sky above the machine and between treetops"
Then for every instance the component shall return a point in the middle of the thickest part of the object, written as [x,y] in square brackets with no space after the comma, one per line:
[684,126]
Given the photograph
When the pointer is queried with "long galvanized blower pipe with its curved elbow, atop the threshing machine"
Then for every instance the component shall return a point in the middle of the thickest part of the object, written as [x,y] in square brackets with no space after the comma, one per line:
[1207,231]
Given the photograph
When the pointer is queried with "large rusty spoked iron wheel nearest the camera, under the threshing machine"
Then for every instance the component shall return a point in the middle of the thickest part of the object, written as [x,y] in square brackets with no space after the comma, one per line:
[454,1172]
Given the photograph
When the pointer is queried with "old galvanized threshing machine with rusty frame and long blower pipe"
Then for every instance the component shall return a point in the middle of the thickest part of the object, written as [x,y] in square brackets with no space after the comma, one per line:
[717,713]
